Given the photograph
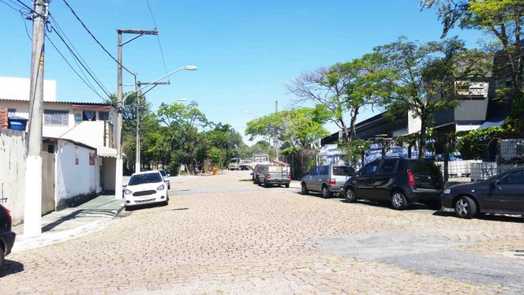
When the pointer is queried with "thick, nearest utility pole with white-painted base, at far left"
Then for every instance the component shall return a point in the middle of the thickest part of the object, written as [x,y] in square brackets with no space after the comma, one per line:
[33,174]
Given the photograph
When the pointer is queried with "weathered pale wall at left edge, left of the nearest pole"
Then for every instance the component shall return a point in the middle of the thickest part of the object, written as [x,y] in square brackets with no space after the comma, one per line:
[12,172]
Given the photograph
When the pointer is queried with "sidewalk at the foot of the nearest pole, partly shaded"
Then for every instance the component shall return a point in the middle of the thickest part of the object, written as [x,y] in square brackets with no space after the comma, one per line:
[71,223]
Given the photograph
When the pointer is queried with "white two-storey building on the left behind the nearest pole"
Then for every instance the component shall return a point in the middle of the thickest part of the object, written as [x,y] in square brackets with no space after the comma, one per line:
[78,151]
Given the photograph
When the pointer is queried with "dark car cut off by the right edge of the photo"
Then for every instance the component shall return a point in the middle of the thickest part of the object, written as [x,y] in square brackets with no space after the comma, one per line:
[501,194]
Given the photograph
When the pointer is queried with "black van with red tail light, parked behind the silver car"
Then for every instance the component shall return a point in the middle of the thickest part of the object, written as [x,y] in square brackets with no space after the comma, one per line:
[397,181]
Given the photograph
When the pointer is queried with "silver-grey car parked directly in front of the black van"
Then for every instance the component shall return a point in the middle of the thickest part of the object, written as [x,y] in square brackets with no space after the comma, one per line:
[326,179]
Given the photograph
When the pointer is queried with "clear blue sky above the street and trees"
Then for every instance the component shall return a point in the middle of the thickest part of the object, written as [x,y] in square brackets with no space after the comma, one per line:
[246,51]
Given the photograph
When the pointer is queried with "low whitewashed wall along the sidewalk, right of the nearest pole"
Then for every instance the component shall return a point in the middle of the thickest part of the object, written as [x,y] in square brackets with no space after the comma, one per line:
[75,175]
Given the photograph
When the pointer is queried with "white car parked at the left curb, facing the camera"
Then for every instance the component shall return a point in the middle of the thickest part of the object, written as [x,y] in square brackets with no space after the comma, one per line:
[146,188]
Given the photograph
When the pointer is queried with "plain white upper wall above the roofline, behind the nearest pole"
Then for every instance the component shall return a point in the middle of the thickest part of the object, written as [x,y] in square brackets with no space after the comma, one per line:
[18,88]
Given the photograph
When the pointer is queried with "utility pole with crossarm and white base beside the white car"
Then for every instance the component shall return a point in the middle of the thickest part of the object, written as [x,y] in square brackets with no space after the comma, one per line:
[120,103]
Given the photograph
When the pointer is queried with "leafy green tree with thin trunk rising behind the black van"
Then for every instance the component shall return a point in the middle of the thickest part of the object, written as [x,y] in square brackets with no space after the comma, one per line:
[424,79]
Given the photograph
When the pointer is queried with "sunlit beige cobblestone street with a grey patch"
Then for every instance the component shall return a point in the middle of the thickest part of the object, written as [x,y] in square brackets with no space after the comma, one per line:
[224,235]
